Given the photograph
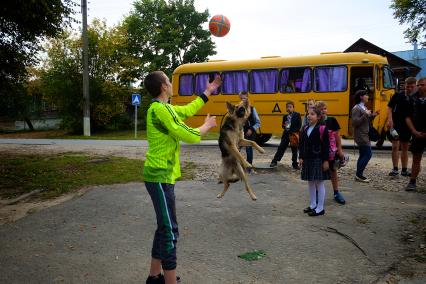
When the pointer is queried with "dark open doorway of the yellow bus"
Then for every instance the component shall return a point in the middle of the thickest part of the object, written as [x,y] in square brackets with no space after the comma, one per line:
[361,78]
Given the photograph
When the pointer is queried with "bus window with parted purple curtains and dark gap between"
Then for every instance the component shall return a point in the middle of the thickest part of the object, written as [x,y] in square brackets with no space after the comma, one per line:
[295,80]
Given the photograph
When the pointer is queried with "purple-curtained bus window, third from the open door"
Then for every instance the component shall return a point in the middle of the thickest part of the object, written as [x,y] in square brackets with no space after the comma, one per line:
[264,81]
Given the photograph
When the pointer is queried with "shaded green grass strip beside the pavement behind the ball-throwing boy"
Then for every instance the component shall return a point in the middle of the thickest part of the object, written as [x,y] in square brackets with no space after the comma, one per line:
[55,175]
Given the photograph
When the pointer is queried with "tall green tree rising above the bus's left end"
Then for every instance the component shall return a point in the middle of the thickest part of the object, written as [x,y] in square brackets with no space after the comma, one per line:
[163,35]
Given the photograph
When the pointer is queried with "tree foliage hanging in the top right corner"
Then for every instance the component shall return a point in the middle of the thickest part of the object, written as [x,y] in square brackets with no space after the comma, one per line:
[412,12]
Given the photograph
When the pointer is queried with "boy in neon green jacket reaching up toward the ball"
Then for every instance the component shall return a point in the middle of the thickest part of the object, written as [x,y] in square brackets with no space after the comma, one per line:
[165,129]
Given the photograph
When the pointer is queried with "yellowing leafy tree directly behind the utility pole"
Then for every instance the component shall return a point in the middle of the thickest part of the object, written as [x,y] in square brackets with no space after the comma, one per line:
[62,76]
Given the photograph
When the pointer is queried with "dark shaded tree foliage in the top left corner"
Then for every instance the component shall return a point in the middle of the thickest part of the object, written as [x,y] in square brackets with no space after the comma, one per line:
[23,25]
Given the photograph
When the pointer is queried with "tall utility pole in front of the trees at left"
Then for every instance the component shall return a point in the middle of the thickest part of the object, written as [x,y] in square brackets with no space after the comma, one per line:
[86,96]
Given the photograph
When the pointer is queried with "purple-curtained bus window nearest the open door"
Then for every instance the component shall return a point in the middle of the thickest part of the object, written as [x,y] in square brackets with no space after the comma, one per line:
[331,79]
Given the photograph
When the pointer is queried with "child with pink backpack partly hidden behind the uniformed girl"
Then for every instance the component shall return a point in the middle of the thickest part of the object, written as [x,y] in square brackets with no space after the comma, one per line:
[336,152]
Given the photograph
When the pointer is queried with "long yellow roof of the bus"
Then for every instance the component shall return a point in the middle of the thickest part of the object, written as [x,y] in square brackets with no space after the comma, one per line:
[279,62]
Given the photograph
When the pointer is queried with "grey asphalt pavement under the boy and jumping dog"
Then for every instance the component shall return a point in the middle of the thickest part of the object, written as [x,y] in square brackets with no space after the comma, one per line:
[105,236]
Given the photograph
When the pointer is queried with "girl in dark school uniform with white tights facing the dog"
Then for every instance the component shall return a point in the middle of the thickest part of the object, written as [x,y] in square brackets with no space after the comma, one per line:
[313,159]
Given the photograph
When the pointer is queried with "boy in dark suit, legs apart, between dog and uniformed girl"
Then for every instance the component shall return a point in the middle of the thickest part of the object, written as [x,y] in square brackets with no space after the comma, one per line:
[291,124]
